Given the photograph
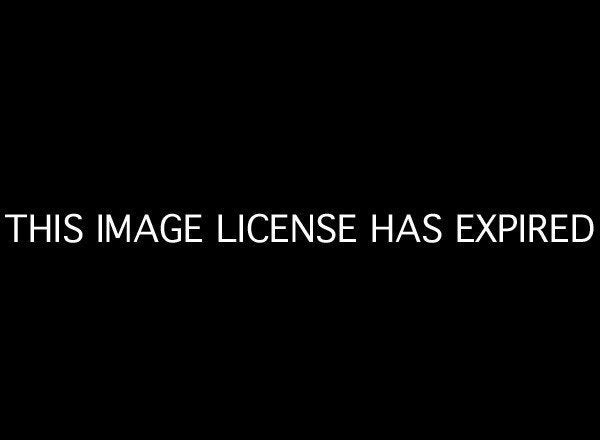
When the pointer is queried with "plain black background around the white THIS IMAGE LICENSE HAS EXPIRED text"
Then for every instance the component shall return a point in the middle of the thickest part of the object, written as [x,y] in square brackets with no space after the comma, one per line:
[368,113]
